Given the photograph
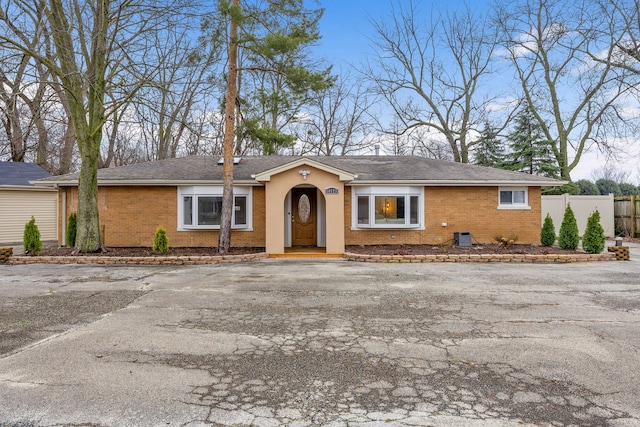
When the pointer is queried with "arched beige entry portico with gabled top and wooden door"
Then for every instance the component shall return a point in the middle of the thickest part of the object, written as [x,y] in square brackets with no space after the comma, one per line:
[304,206]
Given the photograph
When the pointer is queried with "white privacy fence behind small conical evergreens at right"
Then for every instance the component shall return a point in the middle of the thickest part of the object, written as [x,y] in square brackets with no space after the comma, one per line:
[582,207]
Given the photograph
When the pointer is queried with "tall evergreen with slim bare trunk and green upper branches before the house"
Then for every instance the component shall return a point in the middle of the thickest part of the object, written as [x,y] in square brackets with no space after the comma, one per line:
[267,40]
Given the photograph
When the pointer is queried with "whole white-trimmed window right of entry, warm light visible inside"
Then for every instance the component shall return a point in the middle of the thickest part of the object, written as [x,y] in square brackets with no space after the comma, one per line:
[388,207]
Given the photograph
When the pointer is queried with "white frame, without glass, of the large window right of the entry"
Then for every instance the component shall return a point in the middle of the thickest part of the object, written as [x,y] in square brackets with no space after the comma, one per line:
[392,192]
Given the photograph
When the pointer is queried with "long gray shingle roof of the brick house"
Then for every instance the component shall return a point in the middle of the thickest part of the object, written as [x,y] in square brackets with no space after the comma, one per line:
[368,169]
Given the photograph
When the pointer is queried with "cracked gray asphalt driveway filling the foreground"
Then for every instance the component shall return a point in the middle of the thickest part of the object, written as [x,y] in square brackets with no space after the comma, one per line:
[306,343]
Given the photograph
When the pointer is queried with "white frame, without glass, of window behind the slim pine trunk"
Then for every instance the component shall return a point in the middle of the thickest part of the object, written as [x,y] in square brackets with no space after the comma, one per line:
[197,191]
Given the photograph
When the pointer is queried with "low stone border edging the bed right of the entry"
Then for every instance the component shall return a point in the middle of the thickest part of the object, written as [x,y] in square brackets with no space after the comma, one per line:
[550,258]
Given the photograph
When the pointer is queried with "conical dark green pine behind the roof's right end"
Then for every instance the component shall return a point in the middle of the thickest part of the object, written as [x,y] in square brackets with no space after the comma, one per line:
[529,150]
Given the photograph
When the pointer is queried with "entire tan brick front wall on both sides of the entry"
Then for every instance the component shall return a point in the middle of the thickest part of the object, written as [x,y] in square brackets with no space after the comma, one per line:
[129,217]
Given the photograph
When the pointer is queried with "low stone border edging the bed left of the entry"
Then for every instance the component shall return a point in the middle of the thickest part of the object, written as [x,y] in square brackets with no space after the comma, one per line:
[150,260]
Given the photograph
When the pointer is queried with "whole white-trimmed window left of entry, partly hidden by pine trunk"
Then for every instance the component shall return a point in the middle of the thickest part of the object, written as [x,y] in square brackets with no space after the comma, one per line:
[200,207]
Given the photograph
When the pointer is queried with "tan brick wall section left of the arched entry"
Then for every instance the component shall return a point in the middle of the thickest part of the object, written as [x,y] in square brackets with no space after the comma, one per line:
[129,217]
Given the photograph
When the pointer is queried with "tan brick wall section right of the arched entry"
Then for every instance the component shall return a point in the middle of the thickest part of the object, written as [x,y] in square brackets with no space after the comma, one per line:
[472,209]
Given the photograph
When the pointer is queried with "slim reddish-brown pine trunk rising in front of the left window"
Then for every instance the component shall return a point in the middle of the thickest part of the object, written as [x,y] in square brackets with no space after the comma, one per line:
[224,242]
